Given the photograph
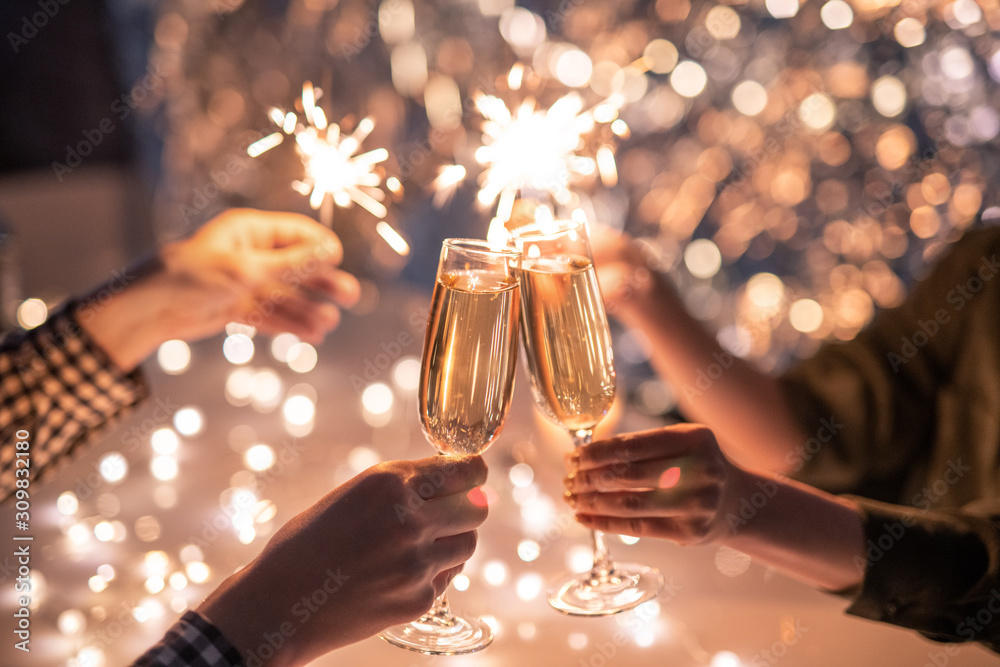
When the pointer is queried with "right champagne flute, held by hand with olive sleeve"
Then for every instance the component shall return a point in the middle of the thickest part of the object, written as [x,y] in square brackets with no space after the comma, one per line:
[567,345]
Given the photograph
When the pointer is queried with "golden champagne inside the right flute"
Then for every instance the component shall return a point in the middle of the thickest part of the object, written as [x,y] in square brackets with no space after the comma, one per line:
[566,340]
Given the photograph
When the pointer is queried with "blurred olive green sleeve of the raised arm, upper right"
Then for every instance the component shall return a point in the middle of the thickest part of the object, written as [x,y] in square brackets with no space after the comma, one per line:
[881,392]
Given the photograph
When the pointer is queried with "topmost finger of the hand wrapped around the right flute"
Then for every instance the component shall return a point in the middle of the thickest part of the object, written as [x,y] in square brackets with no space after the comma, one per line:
[667,442]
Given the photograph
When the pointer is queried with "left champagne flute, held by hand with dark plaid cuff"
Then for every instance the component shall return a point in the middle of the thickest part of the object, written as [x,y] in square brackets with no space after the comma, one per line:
[466,382]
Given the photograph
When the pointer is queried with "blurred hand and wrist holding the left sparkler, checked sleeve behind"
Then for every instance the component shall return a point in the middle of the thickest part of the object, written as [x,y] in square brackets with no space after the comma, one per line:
[274,271]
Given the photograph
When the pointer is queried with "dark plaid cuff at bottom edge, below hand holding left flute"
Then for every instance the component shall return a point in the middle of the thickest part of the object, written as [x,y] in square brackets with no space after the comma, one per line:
[194,641]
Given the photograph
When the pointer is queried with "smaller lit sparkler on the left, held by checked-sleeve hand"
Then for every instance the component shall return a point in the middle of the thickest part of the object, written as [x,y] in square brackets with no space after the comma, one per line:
[334,174]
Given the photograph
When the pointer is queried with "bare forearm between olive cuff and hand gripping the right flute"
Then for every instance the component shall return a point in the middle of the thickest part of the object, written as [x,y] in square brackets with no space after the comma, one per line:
[808,534]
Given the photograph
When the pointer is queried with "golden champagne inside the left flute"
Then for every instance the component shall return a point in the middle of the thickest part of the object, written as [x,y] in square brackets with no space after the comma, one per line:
[470,353]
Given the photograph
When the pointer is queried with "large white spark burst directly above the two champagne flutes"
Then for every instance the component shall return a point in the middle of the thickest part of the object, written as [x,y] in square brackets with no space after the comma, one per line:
[540,150]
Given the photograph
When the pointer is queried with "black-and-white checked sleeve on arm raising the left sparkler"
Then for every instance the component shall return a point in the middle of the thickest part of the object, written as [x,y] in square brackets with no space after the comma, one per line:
[57,384]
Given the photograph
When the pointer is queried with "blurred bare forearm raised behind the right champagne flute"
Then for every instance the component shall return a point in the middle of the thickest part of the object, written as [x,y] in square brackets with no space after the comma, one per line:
[745,407]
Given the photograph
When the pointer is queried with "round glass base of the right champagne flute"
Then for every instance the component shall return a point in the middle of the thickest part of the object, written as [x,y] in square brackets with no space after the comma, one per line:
[627,586]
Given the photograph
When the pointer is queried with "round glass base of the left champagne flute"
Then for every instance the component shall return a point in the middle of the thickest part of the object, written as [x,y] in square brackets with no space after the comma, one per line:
[440,634]
